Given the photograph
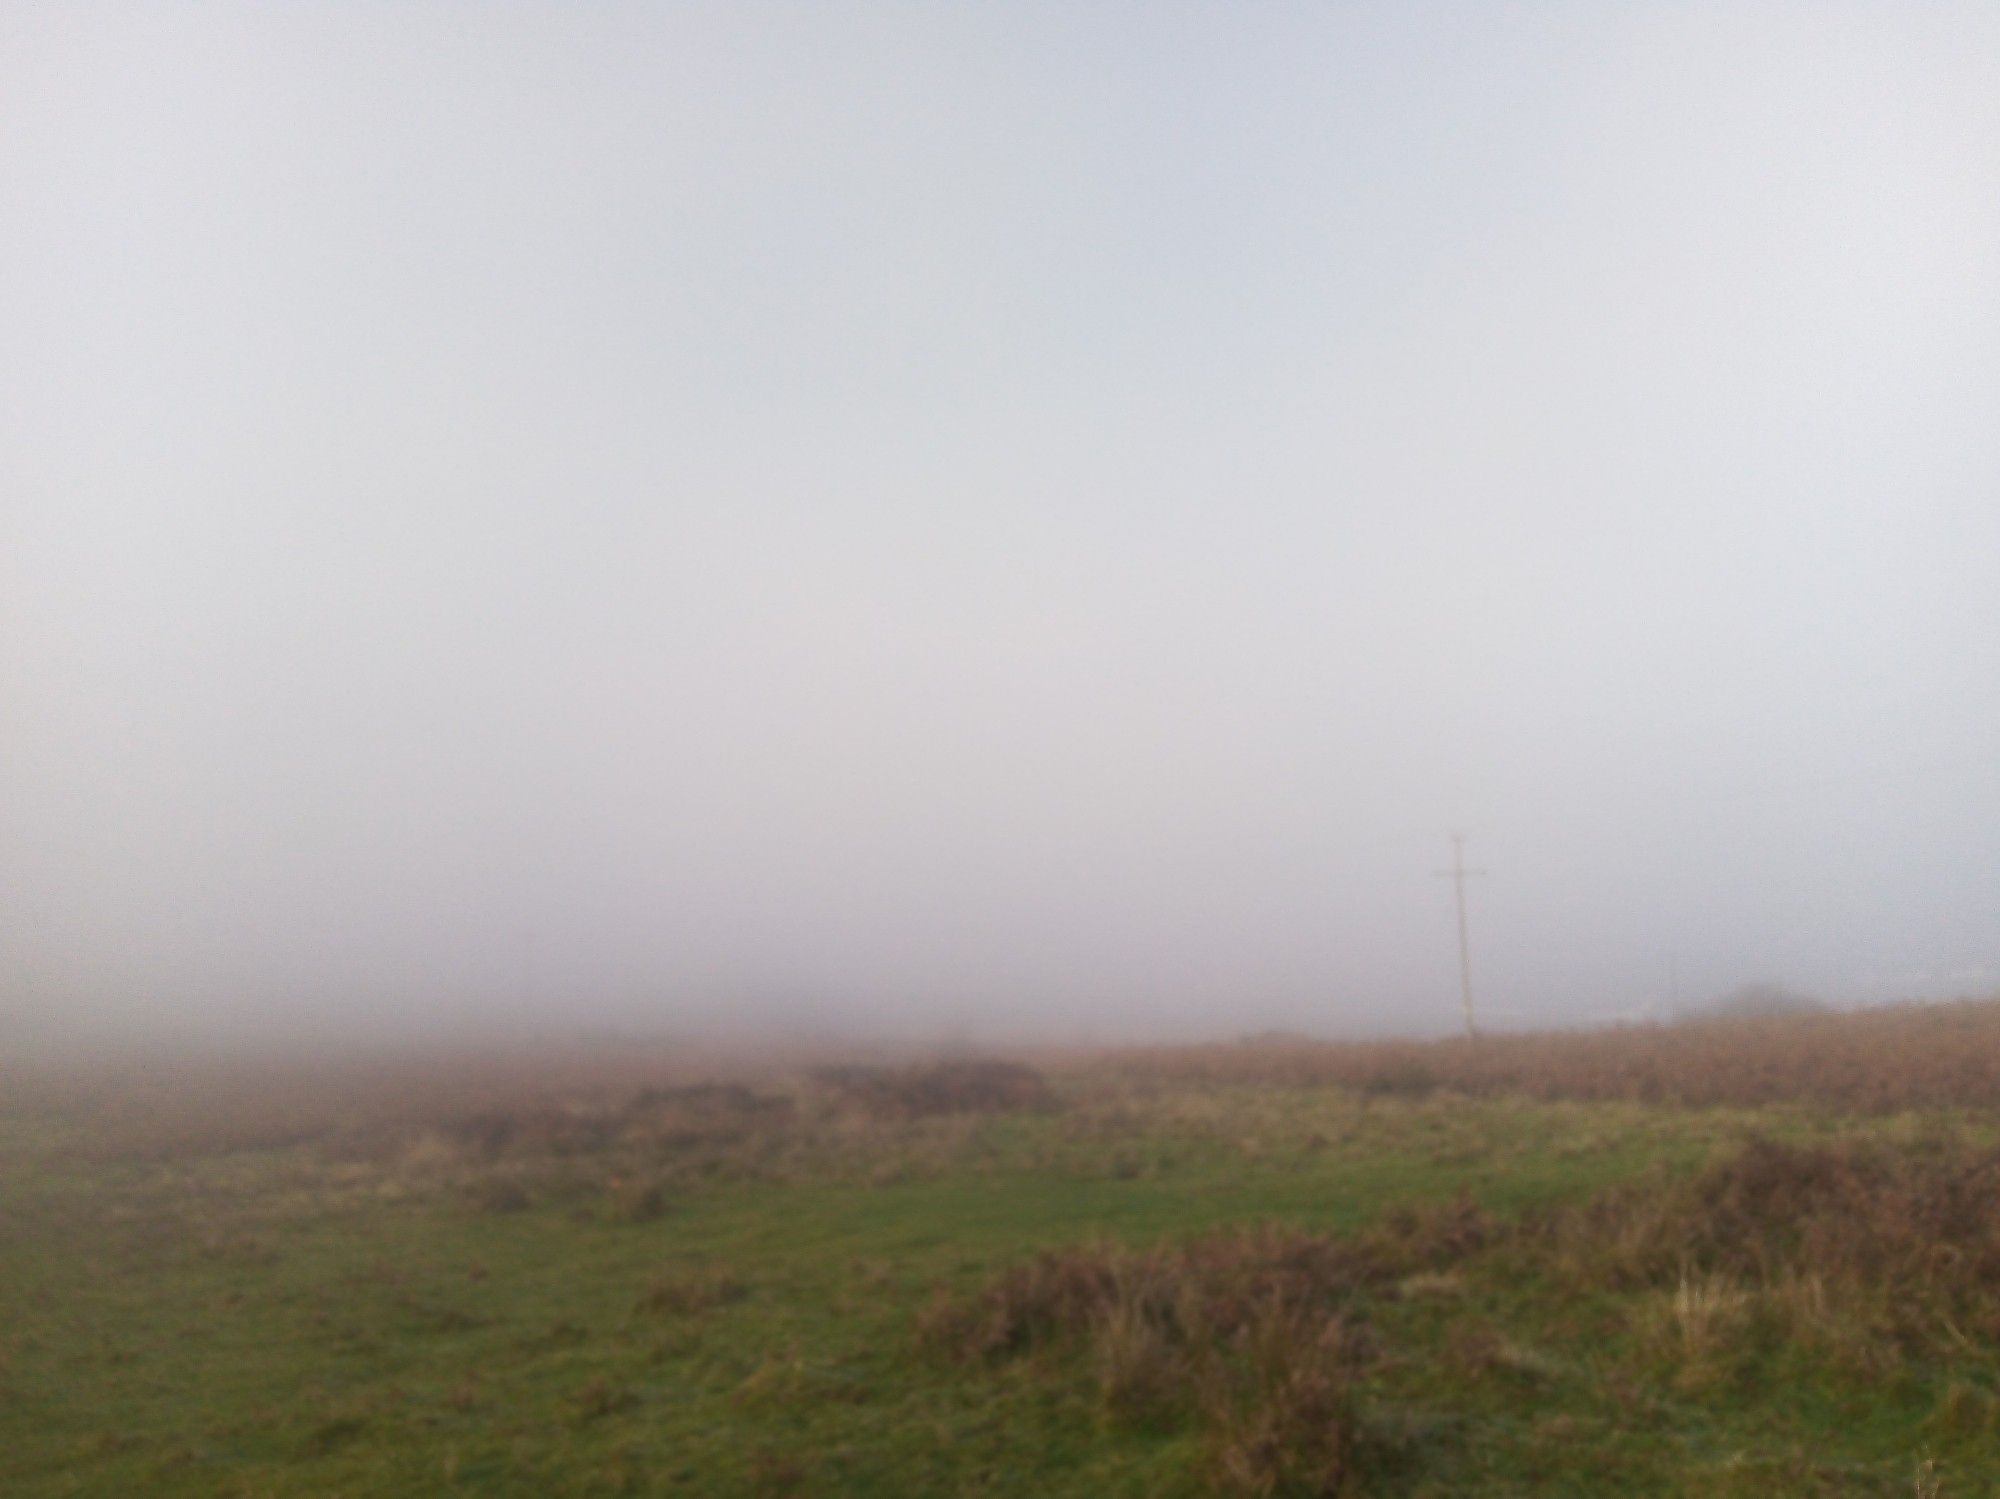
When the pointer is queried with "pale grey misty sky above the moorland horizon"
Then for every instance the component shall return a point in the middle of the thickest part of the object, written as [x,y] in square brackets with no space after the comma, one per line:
[993,519]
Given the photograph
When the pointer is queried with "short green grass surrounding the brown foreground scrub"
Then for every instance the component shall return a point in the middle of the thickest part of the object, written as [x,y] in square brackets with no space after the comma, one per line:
[273,1322]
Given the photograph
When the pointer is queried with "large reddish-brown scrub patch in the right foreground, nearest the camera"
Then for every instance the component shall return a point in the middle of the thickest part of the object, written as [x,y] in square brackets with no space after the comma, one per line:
[1855,1254]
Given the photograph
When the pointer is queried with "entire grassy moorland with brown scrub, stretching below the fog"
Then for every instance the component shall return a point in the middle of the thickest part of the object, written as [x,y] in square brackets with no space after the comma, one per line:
[1121,1276]
